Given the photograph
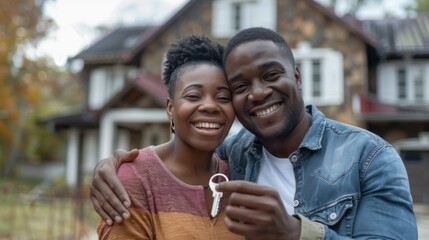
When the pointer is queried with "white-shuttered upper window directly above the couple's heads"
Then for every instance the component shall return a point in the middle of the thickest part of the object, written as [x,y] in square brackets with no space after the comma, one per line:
[231,16]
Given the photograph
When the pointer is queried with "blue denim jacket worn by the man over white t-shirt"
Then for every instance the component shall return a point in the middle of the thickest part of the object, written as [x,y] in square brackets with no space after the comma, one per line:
[350,183]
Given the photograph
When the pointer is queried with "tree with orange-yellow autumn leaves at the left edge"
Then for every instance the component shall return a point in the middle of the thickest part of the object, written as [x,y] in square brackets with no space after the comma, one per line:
[26,81]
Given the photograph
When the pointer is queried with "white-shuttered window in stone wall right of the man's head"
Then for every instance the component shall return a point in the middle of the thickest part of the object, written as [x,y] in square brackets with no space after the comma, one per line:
[321,73]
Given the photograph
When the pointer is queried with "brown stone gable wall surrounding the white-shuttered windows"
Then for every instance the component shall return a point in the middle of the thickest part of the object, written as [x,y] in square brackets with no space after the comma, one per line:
[298,20]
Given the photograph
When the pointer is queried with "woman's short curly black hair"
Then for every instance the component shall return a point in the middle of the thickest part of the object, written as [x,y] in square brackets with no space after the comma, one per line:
[190,51]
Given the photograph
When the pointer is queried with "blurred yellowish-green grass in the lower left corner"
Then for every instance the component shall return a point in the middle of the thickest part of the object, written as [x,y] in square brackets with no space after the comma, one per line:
[57,214]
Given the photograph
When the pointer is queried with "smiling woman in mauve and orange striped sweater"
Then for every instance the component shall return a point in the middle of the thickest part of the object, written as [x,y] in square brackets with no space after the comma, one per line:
[167,183]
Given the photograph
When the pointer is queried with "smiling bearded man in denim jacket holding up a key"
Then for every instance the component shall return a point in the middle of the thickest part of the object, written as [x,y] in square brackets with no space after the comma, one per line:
[298,174]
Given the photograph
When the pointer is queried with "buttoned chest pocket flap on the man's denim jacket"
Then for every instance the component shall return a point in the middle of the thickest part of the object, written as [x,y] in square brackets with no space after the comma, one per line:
[333,213]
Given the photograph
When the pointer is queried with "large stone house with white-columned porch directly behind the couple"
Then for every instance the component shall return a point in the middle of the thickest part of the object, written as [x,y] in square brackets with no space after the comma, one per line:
[341,61]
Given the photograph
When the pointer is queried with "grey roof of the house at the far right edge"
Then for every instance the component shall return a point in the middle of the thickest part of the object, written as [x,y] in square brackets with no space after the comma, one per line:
[400,36]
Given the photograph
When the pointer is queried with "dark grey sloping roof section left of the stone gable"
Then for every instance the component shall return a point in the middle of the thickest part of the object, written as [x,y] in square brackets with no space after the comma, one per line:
[117,45]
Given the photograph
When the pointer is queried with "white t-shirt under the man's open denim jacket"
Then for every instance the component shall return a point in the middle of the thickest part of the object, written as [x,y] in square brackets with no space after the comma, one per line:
[278,174]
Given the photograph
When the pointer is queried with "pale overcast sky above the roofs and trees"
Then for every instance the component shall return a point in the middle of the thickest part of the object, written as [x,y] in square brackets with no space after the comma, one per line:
[77,19]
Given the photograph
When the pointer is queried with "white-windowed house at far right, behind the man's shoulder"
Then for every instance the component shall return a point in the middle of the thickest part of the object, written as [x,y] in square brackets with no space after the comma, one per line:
[397,104]
